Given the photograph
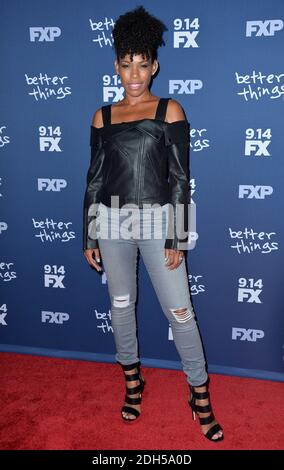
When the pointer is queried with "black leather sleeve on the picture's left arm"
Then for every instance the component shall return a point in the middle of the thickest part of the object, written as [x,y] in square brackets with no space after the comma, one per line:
[93,189]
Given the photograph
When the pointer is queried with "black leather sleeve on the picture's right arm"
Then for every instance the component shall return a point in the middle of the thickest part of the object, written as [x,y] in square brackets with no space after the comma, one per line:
[177,144]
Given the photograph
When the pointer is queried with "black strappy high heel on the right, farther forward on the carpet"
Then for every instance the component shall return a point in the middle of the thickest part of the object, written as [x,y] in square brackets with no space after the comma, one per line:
[204,409]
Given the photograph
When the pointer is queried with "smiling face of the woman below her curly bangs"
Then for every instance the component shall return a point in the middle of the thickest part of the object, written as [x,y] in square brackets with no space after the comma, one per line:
[135,75]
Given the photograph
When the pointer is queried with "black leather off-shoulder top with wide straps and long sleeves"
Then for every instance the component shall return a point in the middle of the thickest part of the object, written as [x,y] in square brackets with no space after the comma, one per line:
[143,161]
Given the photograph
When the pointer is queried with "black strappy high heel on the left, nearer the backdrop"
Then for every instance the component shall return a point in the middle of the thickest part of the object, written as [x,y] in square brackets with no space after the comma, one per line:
[132,391]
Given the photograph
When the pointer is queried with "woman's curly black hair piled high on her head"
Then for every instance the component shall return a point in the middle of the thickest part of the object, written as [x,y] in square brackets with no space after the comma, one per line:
[138,32]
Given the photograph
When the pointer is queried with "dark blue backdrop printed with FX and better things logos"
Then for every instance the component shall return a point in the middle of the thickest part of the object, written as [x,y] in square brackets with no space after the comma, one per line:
[222,62]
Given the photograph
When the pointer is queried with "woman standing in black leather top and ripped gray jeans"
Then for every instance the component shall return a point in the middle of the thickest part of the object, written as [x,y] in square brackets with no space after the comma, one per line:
[139,157]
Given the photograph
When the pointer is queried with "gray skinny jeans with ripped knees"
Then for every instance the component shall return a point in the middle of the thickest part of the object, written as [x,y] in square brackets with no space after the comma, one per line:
[119,260]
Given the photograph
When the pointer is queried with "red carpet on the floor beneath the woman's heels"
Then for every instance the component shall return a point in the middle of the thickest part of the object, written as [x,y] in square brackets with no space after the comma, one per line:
[49,403]
